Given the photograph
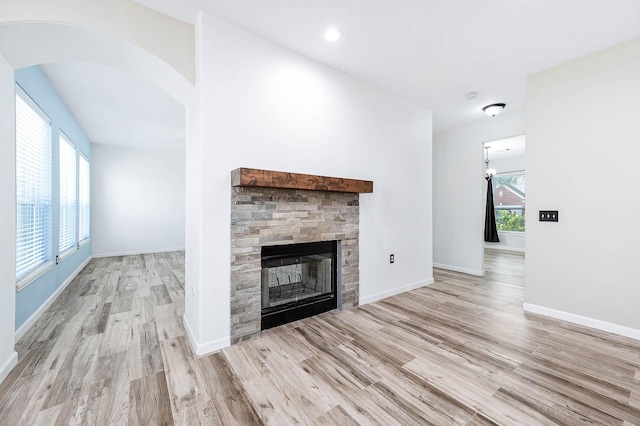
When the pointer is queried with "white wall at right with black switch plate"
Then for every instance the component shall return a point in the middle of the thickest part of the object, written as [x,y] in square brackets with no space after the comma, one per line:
[582,159]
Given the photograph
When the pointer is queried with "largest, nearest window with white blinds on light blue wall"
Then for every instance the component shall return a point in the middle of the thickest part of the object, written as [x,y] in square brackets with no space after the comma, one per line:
[33,185]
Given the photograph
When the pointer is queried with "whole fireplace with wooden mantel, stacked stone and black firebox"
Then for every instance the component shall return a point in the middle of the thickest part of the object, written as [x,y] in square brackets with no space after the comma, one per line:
[274,211]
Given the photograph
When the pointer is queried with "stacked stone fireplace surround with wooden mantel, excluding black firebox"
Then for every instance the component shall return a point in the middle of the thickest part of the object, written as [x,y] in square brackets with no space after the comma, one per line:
[273,208]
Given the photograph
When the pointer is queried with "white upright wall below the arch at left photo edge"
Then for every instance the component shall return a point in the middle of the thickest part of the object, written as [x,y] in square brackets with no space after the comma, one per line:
[8,357]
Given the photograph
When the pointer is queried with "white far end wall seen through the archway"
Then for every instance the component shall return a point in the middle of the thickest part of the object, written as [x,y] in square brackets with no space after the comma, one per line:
[138,200]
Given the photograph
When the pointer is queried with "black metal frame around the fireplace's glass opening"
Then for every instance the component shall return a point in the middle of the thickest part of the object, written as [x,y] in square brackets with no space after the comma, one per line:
[286,313]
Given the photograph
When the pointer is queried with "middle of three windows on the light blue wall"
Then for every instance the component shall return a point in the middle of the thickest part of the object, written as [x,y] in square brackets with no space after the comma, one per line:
[68,199]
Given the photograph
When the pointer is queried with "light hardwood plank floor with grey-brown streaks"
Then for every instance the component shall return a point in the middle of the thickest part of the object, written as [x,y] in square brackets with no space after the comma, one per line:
[112,351]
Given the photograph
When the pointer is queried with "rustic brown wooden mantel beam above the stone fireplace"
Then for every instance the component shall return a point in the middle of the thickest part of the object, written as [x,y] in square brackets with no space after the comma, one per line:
[272,179]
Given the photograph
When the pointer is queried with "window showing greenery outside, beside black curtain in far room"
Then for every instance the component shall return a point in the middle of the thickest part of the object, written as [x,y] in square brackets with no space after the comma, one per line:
[509,202]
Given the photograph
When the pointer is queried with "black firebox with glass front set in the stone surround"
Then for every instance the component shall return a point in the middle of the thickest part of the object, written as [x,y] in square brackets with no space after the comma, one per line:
[298,281]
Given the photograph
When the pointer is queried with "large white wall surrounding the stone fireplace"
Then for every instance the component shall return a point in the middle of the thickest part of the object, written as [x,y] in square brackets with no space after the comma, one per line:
[260,105]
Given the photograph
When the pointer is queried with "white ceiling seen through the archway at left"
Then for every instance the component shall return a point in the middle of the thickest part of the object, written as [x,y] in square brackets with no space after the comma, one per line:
[114,107]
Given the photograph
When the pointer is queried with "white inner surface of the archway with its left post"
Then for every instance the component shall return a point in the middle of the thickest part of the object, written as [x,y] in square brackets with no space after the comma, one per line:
[24,44]
